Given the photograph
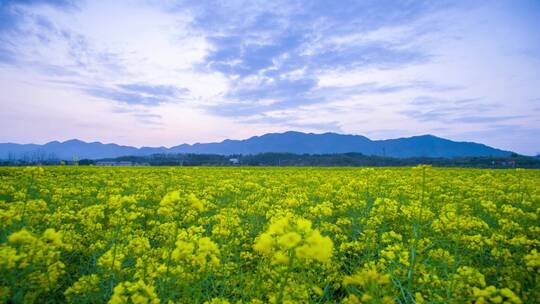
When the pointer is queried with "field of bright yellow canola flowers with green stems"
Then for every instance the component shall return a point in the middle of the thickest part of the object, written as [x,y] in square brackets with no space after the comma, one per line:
[269,235]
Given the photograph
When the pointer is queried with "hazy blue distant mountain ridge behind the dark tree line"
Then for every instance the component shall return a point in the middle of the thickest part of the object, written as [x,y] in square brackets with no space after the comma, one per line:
[288,142]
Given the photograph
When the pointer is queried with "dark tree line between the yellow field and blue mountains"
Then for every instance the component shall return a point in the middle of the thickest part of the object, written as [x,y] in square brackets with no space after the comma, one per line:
[289,159]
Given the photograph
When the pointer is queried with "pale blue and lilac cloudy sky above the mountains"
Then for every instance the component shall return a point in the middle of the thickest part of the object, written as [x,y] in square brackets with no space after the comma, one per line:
[162,73]
